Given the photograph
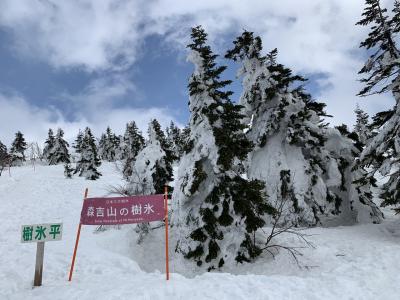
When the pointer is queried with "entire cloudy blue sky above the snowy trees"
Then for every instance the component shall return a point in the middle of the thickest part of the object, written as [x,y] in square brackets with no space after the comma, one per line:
[95,63]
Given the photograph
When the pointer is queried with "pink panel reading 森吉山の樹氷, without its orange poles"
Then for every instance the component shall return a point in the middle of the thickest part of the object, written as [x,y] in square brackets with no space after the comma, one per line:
[122,210]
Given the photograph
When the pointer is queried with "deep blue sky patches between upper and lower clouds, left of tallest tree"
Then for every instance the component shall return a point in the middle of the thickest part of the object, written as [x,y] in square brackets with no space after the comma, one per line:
[159,77]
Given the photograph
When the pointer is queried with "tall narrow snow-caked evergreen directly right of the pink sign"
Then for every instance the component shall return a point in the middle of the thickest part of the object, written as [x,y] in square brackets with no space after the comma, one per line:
[216,210]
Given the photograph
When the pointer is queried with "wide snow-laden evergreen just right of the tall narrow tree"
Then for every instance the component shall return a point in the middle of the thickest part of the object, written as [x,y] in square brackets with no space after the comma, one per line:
[294,145]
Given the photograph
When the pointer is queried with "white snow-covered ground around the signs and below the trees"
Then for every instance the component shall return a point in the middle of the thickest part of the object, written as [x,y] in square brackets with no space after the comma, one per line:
[354,262]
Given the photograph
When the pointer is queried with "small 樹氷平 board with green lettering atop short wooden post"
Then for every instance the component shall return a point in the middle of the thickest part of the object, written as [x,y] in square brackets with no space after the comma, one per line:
[41,233]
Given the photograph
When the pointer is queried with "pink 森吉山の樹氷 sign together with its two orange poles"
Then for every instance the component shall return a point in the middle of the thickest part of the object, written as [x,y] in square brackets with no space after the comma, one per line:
[123,210]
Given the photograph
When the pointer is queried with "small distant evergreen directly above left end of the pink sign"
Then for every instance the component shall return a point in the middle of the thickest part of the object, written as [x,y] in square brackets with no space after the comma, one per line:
[88,161]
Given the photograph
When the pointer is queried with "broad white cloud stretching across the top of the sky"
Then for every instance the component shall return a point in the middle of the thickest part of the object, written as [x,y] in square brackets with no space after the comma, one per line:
[312,37]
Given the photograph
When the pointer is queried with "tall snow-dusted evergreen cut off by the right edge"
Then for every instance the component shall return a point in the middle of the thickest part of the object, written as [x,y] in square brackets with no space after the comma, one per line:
[382,70]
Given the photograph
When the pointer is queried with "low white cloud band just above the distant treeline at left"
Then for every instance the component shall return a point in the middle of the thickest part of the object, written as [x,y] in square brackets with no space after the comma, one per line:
[17,114]
